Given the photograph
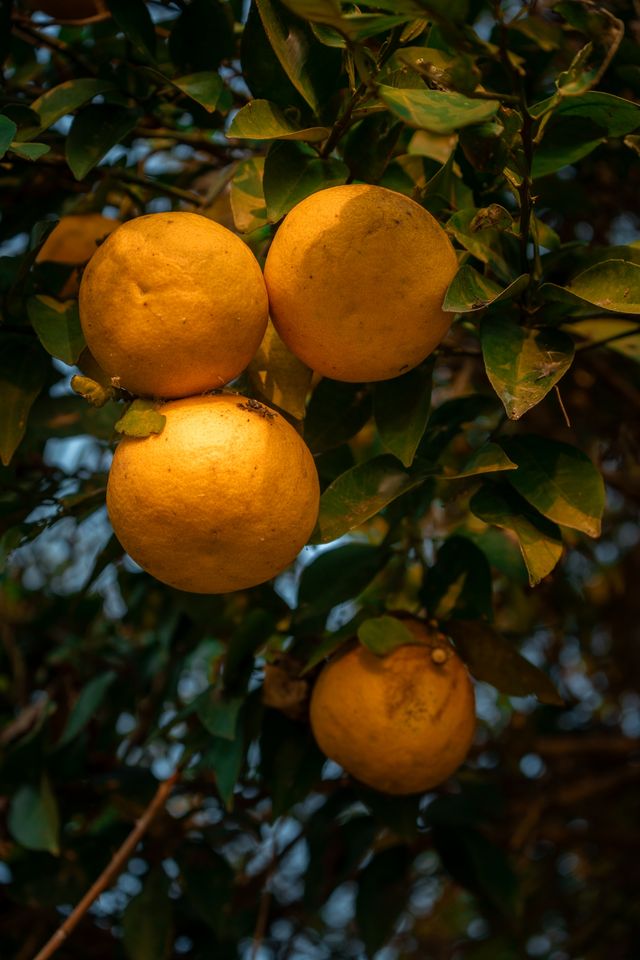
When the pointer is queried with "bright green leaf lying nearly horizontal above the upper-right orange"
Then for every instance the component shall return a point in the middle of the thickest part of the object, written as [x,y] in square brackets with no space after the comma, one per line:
[439,111]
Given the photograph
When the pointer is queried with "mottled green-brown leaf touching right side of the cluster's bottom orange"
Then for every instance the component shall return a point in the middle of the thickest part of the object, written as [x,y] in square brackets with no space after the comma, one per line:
[359,494]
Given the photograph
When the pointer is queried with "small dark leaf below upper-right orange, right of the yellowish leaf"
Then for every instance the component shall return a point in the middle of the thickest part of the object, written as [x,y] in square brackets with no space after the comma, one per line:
[336,412]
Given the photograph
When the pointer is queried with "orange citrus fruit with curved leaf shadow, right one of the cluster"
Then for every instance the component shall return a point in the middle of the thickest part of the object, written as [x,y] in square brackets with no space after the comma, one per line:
[356,276]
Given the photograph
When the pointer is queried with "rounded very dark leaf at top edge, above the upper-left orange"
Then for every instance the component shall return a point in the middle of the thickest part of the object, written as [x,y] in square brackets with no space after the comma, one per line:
[202,36]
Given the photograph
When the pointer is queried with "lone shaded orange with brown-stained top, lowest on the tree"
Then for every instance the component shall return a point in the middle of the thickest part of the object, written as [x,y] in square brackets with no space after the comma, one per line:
[401,723]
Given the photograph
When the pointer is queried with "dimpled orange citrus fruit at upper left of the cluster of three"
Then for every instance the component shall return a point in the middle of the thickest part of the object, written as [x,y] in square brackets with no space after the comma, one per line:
[173,304]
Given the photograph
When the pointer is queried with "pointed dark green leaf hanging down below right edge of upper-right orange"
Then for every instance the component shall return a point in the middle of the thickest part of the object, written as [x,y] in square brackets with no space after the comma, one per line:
[401,409]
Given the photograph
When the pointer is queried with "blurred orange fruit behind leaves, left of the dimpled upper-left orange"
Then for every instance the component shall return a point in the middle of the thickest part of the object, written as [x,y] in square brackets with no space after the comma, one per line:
[73,242]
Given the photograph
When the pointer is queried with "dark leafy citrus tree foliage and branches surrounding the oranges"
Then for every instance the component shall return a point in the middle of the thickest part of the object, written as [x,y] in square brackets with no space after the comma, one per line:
[163,737]
